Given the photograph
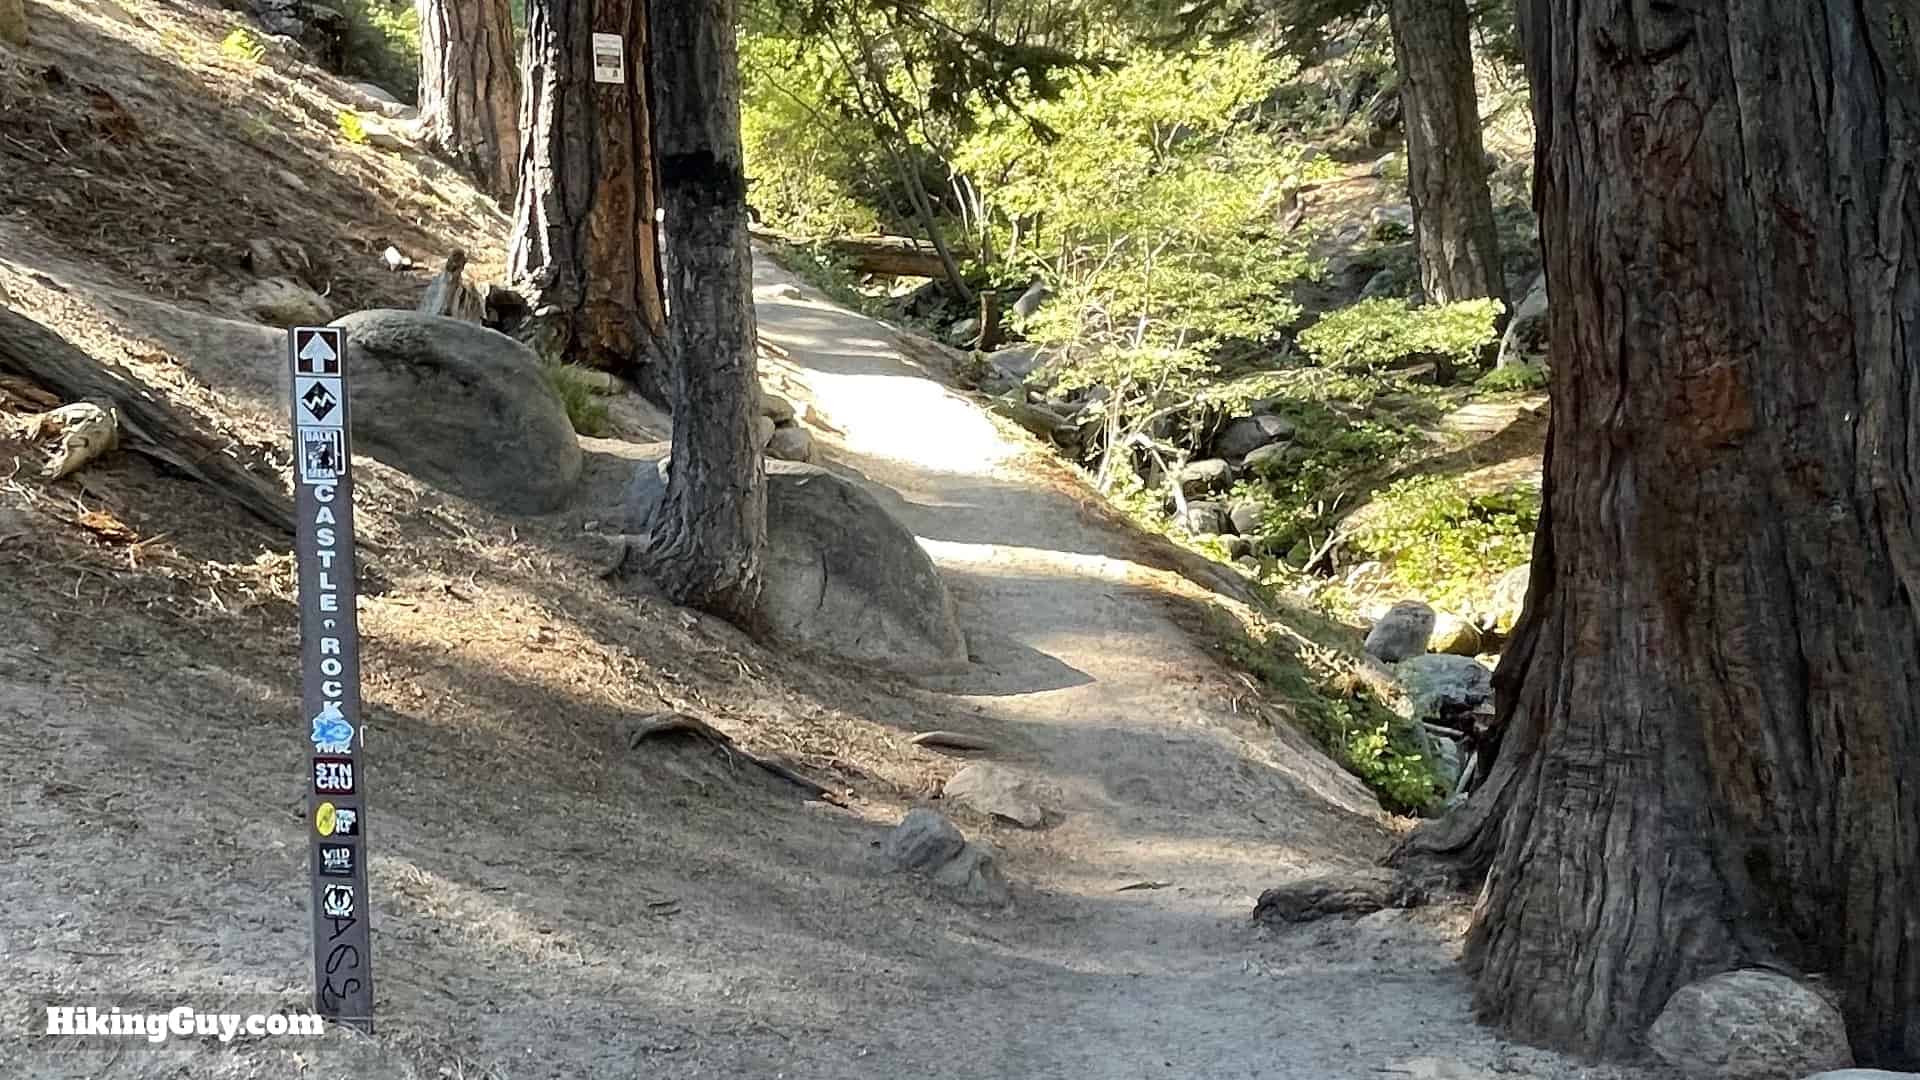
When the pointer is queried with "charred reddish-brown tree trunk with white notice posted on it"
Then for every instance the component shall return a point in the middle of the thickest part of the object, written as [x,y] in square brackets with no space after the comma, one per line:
[585,222]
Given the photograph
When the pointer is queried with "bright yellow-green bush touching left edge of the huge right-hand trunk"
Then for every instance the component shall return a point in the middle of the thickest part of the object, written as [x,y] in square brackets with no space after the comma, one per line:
[1447,543]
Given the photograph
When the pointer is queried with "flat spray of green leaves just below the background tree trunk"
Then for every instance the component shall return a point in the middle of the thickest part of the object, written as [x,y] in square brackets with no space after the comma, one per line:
[1378,333]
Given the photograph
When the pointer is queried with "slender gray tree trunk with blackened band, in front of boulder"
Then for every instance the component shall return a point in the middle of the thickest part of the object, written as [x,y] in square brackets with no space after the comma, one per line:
[711,531]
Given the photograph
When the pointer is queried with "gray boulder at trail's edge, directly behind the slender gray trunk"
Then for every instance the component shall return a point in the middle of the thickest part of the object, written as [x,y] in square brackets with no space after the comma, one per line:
[842,576]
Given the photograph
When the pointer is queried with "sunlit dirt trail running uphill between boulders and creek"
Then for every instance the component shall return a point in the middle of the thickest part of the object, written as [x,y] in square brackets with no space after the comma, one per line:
[1130,729]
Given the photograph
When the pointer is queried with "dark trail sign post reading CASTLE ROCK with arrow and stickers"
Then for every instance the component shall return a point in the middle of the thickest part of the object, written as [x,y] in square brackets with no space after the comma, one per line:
[329,677]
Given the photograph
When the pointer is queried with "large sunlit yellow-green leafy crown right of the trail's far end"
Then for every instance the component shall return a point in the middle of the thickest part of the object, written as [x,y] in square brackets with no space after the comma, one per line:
[1151,210]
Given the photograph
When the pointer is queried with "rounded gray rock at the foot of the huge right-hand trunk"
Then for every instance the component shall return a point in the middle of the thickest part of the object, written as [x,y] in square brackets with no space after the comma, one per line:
[1750,1025]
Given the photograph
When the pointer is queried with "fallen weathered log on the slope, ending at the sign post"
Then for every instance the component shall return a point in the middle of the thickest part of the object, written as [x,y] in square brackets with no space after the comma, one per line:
[149,426]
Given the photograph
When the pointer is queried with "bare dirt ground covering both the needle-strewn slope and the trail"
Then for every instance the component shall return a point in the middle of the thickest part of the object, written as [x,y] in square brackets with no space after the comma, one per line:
[552,900]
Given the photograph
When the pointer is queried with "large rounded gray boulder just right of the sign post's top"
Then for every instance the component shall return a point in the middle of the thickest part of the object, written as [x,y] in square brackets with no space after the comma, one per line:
[462,408]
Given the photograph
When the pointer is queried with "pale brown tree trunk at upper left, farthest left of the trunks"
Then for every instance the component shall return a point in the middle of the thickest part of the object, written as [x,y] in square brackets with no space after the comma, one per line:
[469,89]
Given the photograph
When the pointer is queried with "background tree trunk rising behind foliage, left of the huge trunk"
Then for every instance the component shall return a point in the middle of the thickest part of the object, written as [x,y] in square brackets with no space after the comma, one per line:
[1447,164]
